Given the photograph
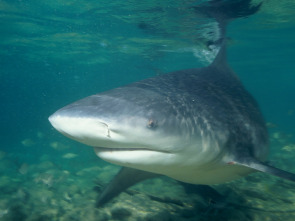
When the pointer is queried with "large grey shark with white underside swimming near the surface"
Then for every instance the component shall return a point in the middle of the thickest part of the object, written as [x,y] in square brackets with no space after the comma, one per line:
[198,126]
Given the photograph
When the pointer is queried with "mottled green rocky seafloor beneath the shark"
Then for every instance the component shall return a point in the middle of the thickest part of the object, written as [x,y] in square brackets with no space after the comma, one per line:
[47,190]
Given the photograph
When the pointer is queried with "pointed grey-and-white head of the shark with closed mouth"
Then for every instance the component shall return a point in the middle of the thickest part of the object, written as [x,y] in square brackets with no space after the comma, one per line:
[131,127]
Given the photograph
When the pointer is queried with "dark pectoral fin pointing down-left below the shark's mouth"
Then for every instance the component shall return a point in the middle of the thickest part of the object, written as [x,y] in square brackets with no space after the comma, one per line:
[125,178]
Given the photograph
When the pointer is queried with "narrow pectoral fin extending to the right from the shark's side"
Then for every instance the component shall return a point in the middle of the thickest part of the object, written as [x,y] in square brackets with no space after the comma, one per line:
[263,167]
